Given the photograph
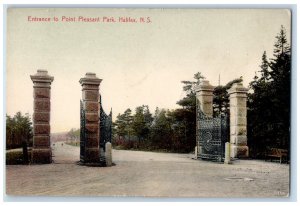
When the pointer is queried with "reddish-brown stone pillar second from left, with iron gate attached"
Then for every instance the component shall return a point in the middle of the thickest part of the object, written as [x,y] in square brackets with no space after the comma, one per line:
[90,97]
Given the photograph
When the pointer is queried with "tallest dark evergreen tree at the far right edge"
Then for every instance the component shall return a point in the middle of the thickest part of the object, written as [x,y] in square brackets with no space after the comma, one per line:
[280,73]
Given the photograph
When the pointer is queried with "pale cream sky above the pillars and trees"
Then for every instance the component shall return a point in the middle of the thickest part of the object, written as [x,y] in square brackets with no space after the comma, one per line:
[140,63]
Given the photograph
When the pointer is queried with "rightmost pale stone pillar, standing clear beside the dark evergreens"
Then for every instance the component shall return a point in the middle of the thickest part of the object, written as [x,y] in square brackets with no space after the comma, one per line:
[238,121]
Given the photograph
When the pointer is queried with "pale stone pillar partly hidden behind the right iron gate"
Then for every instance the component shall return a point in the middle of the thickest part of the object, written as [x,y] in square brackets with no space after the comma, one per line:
[204,97]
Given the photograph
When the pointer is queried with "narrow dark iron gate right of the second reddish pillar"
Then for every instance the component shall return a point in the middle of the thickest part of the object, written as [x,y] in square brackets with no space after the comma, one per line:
[105,131]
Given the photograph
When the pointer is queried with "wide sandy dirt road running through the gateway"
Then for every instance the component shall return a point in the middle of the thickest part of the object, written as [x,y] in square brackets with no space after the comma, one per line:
[147,174]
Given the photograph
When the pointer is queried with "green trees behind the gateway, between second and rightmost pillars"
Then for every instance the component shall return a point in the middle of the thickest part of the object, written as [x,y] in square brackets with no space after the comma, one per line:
[166,130]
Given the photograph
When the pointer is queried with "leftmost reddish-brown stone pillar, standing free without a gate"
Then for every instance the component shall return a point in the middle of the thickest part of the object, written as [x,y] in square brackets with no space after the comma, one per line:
[41,152]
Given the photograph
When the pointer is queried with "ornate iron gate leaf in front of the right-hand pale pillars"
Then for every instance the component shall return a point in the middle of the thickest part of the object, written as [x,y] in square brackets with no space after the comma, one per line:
[212,133]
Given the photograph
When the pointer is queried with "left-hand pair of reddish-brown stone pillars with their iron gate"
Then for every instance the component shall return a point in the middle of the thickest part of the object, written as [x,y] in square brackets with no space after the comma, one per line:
[95,125]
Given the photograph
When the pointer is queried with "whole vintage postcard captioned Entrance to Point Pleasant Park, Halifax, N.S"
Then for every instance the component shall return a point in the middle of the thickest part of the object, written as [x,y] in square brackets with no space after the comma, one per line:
[148,102]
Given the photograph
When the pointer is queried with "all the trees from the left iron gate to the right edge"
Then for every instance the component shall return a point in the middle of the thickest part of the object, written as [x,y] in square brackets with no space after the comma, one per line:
[175,130]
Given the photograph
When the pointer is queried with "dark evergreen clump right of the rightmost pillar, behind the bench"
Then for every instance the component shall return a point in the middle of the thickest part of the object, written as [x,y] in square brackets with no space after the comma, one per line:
[269,101]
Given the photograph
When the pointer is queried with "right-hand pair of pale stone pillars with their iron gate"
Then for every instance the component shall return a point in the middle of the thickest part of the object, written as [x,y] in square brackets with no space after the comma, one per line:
[212,132]
